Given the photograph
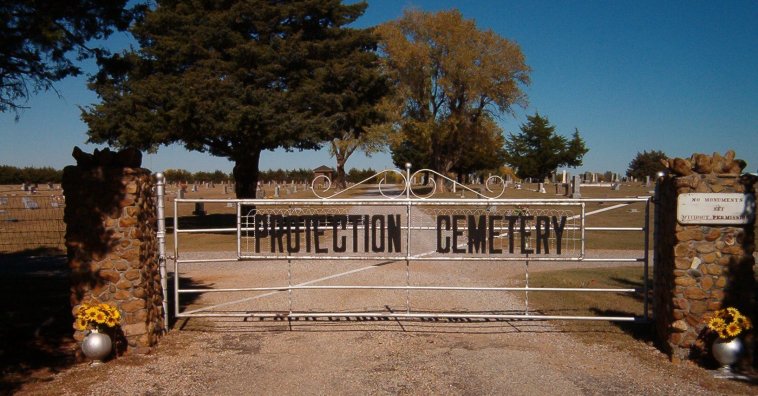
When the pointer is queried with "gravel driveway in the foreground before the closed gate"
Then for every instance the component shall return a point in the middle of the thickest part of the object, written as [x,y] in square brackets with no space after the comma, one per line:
[382,356]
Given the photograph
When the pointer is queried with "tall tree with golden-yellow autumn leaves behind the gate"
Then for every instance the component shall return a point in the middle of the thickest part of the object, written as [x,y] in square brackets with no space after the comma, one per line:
[451,80]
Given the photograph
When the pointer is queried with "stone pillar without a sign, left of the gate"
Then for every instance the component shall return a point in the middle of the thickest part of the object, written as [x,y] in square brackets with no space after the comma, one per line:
[111,243]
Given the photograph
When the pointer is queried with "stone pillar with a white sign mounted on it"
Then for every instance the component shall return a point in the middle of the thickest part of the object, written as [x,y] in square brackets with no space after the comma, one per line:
[700,268]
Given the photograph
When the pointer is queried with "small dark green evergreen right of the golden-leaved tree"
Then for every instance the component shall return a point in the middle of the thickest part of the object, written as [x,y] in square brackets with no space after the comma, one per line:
[537,151]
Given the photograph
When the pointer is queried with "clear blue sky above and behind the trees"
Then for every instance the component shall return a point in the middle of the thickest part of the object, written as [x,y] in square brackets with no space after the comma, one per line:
[676,76]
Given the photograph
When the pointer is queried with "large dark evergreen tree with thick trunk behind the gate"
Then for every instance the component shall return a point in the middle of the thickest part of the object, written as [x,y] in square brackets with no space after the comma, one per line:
[233,78]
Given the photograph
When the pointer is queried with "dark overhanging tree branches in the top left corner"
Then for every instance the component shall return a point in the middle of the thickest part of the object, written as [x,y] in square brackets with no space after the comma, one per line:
[37,38]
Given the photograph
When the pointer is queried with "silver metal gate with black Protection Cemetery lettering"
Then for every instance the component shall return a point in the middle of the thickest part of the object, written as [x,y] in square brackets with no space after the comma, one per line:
[382,256]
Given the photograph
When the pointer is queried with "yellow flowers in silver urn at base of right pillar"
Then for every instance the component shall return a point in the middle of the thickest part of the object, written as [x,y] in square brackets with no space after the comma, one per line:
[728,324]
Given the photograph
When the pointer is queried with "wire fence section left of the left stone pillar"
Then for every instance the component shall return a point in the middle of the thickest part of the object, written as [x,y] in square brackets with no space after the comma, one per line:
[31,218]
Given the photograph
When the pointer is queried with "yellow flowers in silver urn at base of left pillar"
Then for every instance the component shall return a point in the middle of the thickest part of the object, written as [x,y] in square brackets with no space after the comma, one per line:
[95,319]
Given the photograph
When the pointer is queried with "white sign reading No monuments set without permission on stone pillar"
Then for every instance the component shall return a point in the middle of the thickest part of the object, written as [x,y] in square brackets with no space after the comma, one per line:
[715,208]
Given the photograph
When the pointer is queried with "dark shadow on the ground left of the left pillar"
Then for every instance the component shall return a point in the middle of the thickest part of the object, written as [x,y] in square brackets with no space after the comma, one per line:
[35,318]
